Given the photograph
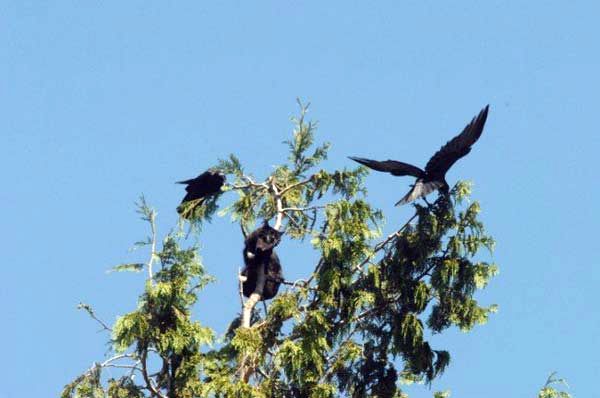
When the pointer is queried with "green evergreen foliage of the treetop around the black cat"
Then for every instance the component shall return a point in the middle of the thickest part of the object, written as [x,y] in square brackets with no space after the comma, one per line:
[356,326]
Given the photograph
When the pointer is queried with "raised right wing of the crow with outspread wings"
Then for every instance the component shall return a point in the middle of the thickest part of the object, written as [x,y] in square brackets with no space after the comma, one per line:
[457,147]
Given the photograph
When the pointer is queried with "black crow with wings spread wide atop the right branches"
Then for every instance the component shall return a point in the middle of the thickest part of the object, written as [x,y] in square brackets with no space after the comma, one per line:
[434,175]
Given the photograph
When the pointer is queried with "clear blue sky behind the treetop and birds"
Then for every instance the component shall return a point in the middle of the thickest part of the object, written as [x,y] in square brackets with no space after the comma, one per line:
[104,100]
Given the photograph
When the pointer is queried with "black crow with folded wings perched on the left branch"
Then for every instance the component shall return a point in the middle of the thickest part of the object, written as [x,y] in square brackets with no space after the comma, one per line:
[198,189]
